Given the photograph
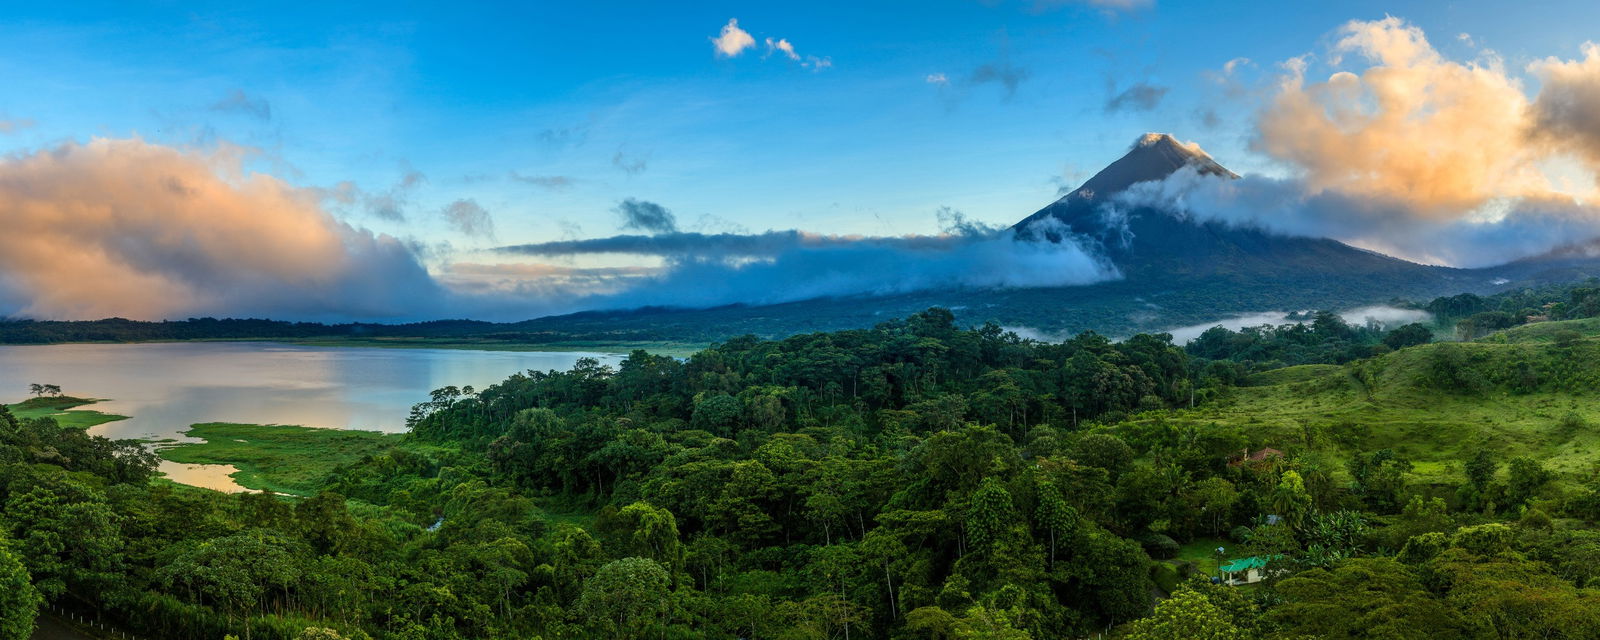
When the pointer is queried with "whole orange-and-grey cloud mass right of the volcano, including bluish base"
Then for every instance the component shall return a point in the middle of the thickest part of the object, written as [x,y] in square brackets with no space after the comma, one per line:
[1414,154]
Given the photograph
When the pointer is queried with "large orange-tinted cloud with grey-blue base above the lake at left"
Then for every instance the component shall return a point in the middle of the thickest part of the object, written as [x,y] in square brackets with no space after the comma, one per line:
[146,231]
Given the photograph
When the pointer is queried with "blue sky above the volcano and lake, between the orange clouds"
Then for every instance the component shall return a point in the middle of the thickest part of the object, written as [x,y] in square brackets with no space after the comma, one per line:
[538,121]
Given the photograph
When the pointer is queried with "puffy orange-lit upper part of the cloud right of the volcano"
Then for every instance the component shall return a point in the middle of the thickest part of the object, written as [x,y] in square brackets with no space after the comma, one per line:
[1412,126]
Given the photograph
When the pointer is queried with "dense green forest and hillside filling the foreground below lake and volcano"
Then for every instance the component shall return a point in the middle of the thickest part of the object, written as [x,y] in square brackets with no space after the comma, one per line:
[913,481]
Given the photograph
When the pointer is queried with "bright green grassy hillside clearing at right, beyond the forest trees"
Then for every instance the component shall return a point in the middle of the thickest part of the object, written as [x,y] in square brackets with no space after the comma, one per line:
[1534,399]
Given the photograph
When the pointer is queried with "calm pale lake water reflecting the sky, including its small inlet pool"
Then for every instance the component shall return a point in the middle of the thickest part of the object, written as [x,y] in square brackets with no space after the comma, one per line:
[166,388]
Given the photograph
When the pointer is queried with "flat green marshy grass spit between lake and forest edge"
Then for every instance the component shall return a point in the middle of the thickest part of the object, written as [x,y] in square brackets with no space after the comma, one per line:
[278,457]
